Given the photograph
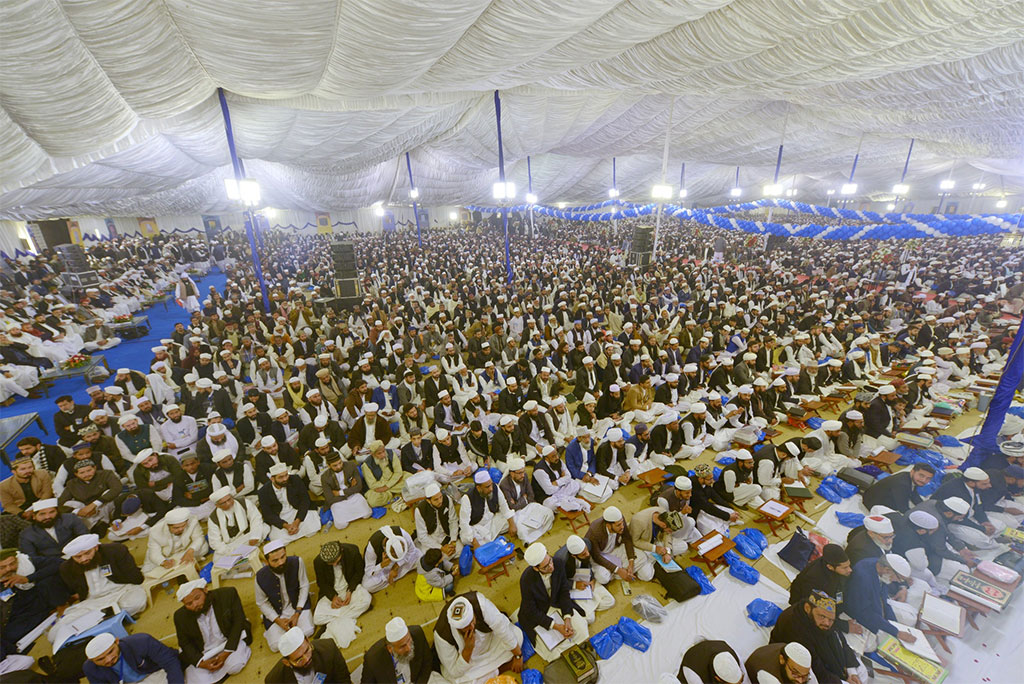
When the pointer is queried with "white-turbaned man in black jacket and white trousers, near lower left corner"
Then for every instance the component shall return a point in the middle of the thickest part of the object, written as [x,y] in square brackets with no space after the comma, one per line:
[103,576]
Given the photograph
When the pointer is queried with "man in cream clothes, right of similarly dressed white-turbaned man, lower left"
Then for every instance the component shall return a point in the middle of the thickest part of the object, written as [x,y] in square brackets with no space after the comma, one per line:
[236,529]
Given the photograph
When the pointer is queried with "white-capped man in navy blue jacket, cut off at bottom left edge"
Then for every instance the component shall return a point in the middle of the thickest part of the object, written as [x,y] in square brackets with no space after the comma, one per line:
[138,657]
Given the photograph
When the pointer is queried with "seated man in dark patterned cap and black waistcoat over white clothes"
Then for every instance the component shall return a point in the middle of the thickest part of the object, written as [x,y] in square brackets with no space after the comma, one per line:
[338,570]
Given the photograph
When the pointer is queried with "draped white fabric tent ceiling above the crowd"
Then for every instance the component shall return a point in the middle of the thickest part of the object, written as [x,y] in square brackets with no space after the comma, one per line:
[110,107]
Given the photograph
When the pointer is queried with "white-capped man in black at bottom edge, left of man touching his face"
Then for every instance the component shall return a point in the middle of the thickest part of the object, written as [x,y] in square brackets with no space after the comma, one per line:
[402,656]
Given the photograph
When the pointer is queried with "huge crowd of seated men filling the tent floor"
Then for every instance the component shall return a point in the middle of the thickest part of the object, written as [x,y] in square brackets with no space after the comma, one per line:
[489,400]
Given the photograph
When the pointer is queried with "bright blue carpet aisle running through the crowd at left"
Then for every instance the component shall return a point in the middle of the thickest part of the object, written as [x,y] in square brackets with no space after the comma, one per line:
[131,354]
